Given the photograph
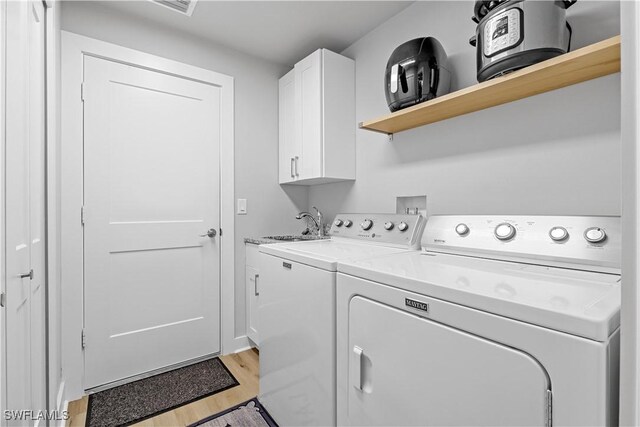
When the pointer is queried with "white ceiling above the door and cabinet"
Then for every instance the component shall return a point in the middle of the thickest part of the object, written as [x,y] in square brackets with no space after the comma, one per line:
[279,31]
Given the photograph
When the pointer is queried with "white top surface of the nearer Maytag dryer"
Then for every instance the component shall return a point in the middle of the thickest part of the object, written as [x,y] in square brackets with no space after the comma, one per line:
[586,304]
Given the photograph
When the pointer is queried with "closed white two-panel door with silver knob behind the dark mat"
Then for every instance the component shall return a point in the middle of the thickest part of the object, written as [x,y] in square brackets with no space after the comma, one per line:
[151,177]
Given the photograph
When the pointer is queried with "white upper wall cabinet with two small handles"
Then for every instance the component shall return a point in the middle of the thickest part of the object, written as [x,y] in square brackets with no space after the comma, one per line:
[317,120]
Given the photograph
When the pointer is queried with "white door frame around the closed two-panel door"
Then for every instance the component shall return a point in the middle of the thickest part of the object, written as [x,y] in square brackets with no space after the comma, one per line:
[74,48]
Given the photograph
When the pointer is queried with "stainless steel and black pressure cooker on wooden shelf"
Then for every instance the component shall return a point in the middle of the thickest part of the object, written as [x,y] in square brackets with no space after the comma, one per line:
[513,34]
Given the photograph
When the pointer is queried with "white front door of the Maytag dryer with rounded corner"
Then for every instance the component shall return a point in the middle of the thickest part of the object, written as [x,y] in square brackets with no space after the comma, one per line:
[408,370]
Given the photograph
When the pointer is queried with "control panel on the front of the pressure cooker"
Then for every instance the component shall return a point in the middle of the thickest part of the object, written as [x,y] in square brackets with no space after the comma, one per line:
[502,32]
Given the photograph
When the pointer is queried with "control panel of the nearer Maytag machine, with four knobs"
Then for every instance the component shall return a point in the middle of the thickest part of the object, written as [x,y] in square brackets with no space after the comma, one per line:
[548,240]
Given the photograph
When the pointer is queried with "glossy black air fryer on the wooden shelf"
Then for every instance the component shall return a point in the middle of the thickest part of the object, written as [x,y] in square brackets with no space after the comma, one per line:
[416,72]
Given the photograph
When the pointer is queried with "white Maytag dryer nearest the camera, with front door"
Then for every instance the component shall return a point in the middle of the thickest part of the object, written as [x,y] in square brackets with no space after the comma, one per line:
[500,321]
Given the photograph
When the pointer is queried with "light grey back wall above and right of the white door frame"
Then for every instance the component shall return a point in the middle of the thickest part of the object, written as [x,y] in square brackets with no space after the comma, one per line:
[271,209]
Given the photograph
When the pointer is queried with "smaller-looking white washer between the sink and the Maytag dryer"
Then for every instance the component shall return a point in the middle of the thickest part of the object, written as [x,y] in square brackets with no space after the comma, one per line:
[297,312]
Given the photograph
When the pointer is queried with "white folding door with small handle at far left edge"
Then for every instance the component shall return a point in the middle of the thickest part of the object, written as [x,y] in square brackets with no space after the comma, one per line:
[25,207]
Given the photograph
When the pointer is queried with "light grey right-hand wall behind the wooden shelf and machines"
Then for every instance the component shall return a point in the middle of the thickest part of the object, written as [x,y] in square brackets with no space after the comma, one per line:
[556,153]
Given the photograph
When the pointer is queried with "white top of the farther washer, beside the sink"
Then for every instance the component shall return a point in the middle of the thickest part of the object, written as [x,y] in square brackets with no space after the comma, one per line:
[325,254]
